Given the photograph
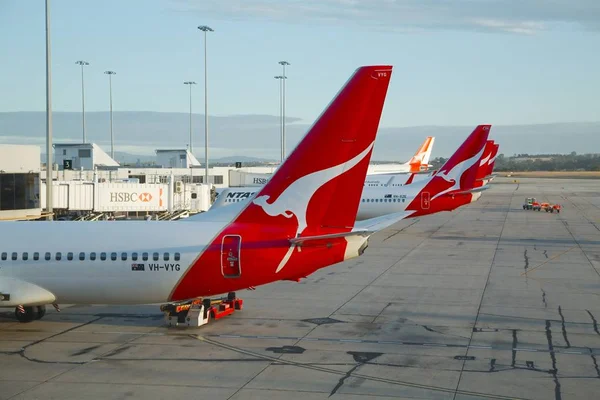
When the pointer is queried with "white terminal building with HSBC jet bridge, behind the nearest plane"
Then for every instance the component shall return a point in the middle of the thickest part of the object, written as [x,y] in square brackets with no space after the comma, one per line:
[88,183]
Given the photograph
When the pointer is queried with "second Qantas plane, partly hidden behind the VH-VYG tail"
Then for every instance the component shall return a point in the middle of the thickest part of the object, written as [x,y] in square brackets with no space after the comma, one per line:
[452,186]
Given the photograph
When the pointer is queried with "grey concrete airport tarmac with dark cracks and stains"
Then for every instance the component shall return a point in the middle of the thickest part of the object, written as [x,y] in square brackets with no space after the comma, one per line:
[486,302]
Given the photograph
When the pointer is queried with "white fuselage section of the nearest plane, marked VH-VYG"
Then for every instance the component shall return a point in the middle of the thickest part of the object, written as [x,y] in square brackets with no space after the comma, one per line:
[102,281]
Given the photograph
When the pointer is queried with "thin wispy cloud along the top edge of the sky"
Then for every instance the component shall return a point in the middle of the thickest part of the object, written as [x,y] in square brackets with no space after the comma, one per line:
[508,16]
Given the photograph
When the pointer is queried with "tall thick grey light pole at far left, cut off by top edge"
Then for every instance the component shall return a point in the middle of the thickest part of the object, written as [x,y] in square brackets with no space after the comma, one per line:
[49,150]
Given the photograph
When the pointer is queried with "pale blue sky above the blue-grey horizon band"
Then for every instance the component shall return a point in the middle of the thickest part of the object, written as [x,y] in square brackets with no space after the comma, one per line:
[460,62]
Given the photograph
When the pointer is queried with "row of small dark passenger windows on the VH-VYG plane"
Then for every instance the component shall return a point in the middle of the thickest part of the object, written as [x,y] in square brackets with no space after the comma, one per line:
[58,256]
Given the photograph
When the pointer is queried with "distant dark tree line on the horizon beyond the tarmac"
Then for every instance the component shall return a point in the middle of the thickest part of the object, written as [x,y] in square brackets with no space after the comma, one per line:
[540,162]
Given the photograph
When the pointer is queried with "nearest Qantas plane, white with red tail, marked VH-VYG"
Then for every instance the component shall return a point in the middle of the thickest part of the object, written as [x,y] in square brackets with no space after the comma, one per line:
[292,228]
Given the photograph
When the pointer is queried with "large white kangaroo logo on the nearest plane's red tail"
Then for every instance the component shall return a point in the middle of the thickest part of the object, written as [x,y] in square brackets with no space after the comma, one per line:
[293,201]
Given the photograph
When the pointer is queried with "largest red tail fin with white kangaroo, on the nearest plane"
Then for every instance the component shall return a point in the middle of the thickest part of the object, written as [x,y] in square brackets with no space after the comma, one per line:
[329,164]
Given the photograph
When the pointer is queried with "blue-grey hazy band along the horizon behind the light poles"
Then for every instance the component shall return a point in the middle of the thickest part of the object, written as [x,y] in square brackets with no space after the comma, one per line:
[138,134]
